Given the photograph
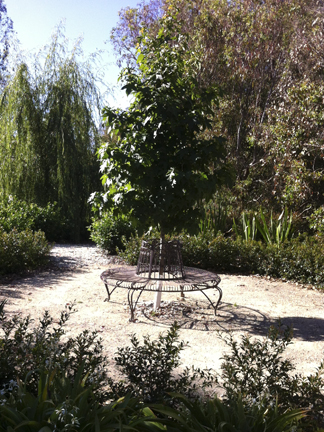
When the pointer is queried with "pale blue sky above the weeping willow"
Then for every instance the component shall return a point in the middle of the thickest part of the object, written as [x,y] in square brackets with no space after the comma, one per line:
[35,20]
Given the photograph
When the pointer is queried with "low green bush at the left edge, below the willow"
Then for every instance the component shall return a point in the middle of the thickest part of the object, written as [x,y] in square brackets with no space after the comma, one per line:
[23,250]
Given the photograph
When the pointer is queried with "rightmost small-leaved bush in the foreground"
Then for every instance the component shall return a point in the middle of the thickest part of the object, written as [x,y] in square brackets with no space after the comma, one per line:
[256,372]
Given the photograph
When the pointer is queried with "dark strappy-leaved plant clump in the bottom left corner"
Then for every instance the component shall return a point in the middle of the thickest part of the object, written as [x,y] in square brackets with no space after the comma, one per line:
[62,406]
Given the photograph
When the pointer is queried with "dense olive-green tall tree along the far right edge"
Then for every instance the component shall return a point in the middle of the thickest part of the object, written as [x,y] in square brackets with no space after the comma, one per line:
[294,136]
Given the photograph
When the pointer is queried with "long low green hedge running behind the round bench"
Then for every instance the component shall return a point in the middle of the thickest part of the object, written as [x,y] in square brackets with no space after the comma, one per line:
[300,259]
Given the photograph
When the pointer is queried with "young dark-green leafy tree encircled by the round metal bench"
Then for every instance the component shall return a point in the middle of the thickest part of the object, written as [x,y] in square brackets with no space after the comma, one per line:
[159,164]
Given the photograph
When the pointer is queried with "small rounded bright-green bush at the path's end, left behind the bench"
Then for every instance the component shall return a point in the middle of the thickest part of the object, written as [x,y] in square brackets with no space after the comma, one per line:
[108,230]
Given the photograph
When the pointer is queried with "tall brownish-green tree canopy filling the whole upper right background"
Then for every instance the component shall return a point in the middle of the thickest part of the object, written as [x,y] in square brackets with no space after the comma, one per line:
[263,56]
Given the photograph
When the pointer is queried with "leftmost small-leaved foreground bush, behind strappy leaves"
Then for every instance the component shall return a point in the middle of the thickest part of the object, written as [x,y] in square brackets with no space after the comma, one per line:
[26,350]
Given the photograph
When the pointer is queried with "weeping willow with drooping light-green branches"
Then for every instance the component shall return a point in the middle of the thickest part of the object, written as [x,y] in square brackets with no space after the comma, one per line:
[49,134]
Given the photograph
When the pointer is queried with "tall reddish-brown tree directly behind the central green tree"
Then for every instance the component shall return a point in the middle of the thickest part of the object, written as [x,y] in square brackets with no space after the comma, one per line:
[242,47]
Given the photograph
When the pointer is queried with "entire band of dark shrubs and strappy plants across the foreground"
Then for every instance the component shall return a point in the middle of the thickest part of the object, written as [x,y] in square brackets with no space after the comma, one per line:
[56,383]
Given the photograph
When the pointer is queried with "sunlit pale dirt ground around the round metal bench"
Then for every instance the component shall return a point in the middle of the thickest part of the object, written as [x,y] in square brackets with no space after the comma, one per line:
[250,305]
